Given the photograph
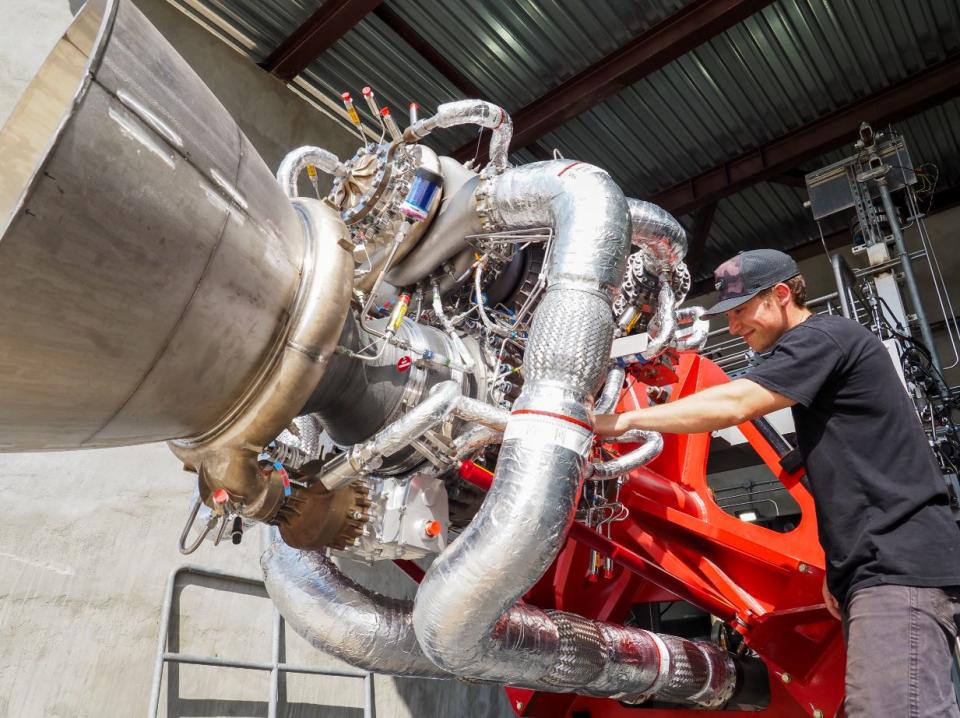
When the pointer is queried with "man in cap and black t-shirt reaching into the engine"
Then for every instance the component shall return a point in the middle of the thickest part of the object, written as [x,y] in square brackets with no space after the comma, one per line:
[892,547]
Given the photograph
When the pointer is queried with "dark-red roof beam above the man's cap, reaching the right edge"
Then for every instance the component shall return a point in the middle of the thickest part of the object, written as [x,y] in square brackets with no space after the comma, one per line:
[914,94]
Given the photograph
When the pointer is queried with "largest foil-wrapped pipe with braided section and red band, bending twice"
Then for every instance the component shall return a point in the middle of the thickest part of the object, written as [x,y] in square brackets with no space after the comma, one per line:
[466,614]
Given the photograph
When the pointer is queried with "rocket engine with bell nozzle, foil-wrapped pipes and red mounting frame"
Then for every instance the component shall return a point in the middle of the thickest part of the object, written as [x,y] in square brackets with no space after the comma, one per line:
[405,368]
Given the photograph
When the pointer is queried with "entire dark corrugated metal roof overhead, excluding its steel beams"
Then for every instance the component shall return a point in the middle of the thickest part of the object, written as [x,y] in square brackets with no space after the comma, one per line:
[782,68]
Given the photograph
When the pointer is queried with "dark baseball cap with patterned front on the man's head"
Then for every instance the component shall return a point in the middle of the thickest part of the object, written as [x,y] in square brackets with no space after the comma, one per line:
[740,279]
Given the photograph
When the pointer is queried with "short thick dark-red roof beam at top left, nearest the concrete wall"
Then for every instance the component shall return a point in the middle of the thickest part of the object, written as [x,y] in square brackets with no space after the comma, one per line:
[329,23]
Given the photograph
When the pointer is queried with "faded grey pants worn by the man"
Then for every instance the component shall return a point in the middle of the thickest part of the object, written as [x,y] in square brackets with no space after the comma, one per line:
[900,642]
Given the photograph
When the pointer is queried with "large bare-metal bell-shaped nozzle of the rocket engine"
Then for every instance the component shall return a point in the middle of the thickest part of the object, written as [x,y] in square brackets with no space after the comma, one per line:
[152,264]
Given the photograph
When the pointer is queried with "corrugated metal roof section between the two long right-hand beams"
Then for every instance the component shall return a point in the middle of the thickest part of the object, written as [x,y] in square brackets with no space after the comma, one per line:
[783,67]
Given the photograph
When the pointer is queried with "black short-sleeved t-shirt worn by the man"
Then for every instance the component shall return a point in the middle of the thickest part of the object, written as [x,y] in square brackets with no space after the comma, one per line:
[882,506]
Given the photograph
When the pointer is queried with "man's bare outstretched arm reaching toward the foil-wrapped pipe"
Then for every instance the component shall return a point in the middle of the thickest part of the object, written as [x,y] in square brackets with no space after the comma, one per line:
[715,408]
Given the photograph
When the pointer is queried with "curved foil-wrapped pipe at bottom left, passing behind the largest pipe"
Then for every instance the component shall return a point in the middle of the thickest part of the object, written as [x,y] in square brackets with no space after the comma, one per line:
[336,615]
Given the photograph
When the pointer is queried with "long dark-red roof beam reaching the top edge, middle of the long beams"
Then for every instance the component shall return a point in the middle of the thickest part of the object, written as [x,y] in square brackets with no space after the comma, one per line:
[675,36]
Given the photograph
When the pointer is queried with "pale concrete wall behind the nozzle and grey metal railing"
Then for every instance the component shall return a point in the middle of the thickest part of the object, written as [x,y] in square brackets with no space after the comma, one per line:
[89,538]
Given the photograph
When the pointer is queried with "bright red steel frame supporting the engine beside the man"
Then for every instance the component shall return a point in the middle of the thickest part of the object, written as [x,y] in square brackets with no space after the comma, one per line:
[678,544]
